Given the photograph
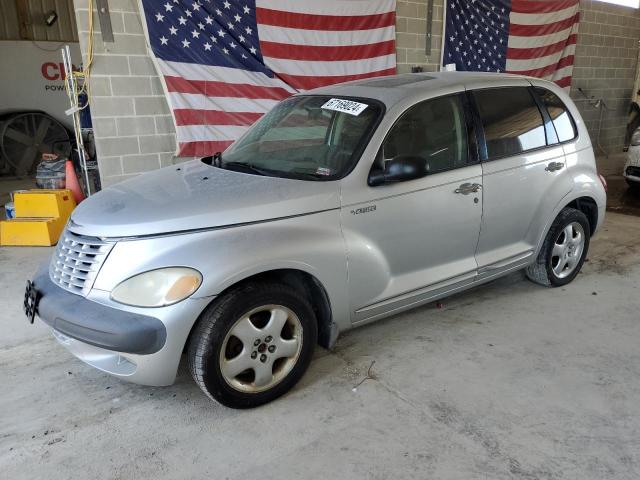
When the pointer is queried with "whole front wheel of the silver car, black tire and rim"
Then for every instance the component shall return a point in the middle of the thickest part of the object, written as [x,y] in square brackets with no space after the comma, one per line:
[267,344]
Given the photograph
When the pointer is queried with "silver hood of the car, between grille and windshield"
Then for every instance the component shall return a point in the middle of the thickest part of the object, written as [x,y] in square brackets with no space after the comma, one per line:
[193,196]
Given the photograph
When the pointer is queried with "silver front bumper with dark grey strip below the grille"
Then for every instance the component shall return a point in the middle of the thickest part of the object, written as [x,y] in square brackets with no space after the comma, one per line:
[141,345]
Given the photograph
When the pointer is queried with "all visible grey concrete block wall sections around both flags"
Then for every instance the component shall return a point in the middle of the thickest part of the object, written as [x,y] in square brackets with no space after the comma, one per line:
[134,129]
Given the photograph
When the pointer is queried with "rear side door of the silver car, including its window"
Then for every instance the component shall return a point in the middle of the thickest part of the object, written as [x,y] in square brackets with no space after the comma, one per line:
[523,175]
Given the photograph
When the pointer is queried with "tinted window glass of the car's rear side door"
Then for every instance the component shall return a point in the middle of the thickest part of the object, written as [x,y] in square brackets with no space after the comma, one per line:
[511,121]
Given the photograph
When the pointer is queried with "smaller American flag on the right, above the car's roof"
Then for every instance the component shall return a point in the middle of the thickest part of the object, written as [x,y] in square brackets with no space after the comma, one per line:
[527,37]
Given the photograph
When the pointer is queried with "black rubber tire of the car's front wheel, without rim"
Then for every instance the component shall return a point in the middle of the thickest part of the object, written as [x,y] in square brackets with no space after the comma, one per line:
[224,315]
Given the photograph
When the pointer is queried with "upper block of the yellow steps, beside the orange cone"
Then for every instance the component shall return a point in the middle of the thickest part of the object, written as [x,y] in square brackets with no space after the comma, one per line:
[44,204]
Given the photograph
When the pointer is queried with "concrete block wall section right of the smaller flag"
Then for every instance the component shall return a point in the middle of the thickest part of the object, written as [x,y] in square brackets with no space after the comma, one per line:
[605,67]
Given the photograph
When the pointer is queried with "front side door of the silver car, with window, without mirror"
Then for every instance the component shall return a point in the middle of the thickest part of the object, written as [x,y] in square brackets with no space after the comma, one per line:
[408,239]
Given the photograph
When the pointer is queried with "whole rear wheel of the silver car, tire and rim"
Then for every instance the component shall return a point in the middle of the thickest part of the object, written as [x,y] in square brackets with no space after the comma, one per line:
[547,270]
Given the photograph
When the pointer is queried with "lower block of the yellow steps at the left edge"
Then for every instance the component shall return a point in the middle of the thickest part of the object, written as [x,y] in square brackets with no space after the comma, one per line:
[31,231]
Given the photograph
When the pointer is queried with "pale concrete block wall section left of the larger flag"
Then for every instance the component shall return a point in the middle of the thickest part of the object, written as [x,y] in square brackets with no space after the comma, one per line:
[132,122]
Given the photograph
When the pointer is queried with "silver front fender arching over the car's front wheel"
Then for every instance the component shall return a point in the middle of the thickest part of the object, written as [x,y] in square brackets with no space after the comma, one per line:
[310,243]
